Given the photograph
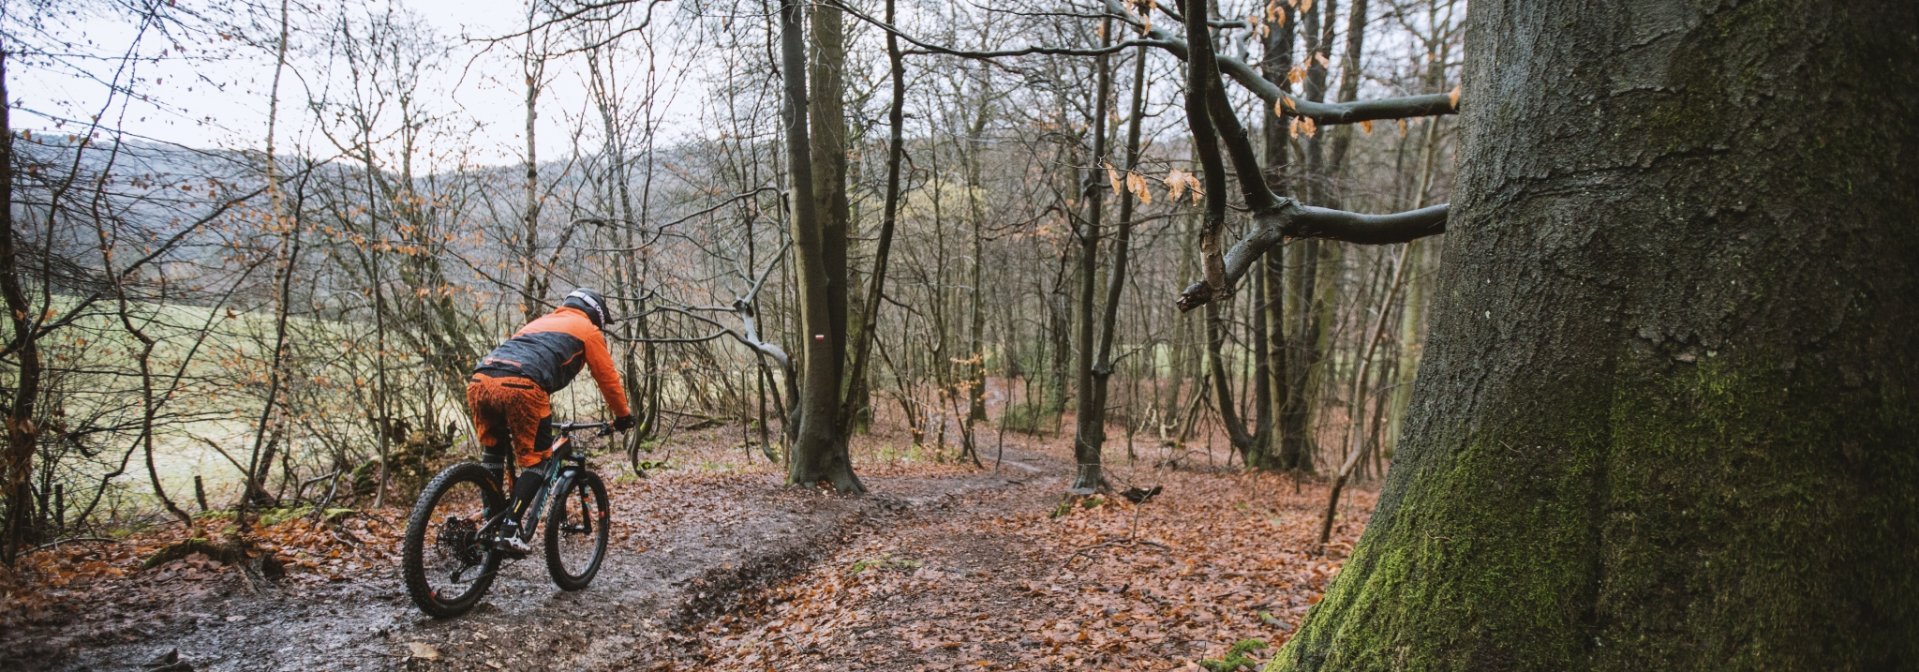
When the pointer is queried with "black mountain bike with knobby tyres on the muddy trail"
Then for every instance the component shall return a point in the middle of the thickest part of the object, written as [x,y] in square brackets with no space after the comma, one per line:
[452,554]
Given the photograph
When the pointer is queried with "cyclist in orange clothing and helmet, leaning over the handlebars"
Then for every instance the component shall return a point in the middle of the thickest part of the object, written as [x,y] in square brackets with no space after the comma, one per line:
[509,391]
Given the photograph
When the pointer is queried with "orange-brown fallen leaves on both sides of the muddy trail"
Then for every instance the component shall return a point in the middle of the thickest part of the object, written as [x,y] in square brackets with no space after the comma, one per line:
[960,579]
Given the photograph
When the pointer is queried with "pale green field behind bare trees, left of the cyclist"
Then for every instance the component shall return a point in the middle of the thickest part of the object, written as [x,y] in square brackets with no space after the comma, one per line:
[210,385]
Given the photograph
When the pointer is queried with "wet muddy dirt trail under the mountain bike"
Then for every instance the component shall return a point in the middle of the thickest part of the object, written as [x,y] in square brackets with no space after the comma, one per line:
[690,552]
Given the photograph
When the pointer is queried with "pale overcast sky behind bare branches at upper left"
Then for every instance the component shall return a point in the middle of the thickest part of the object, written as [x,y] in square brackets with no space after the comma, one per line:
[212,93]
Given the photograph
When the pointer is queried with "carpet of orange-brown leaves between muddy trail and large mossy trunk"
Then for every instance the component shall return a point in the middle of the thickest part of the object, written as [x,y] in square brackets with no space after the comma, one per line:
[1003,583]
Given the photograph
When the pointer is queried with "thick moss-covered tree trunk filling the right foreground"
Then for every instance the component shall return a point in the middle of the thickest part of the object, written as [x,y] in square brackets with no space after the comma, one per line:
[1667,420]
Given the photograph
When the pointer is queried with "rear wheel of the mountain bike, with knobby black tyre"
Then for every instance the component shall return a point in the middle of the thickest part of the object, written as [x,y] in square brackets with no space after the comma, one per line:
[446,562]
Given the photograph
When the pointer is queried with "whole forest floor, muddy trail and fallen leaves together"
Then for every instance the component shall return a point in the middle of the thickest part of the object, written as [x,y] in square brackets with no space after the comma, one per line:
[719,567]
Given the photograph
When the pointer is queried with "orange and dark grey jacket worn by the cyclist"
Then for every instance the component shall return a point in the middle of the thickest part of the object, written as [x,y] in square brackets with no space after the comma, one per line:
[552,350]
